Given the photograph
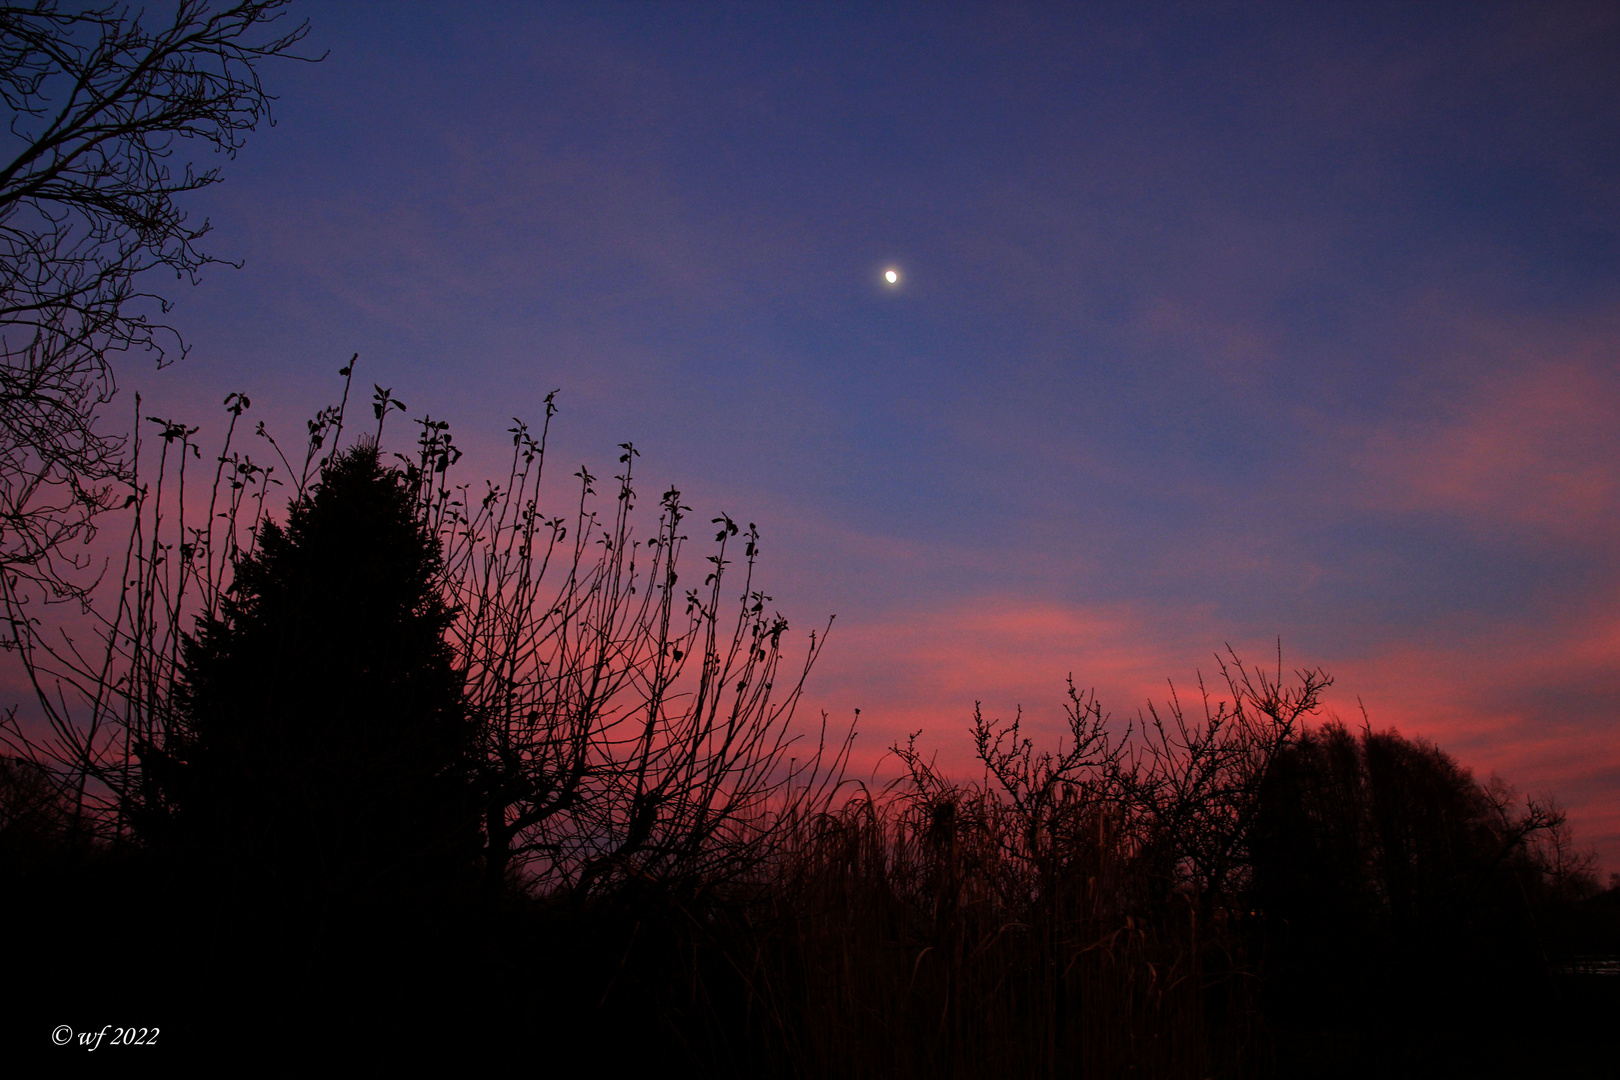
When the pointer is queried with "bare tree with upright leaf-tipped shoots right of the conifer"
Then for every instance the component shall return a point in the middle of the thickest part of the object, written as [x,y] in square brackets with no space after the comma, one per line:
[633,728]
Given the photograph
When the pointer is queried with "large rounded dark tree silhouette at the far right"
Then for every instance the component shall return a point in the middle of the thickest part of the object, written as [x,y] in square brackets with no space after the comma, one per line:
[1399,890]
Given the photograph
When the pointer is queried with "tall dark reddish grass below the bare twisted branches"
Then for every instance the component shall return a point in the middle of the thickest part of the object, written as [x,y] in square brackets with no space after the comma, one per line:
[913,946]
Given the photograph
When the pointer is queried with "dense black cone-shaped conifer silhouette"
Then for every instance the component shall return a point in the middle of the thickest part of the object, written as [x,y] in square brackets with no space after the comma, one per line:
[323,744]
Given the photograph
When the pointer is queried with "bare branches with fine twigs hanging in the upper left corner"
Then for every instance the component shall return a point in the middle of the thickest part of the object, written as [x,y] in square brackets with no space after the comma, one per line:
[108,119]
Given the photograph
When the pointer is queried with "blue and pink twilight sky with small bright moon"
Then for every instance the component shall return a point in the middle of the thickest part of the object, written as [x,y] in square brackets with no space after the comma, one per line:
[1217,326]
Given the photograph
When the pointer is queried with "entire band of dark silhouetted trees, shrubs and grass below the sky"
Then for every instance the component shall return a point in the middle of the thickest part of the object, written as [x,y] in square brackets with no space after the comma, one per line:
[416,770]
